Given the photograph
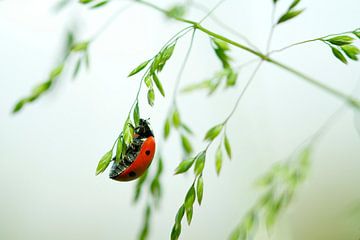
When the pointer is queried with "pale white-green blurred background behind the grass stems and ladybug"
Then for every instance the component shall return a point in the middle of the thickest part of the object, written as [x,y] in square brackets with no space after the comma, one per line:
[49,151]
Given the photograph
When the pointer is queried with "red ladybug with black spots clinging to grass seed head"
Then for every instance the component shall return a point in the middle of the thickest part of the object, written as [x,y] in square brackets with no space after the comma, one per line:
[138,156]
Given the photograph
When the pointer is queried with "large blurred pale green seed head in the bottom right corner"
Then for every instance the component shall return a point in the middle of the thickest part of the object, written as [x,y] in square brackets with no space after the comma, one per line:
[279,185]
